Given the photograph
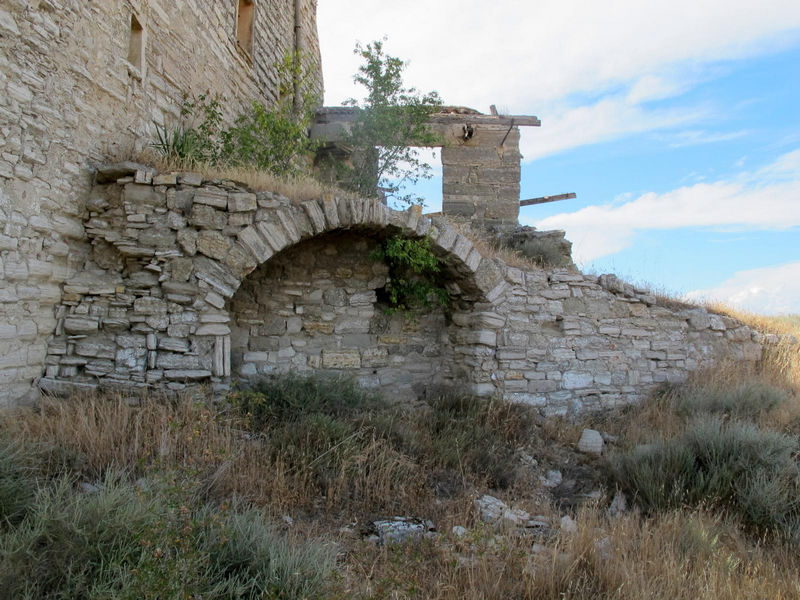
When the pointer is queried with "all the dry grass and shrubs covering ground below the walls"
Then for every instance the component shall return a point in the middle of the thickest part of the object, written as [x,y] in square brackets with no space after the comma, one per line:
[103,498]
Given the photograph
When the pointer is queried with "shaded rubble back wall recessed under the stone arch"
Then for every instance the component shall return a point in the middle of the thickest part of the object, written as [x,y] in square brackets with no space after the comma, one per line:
[316,306]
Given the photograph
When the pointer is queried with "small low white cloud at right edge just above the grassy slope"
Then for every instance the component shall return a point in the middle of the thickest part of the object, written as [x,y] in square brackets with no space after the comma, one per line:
[768,290]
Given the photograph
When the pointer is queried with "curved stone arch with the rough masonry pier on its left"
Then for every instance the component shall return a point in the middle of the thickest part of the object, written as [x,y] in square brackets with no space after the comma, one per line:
[158,315]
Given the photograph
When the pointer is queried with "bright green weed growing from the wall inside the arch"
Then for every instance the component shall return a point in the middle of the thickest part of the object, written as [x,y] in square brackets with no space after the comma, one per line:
[414,275]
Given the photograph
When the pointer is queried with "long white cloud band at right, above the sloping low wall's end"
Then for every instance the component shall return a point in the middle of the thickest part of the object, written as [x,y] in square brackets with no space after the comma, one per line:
[767,199]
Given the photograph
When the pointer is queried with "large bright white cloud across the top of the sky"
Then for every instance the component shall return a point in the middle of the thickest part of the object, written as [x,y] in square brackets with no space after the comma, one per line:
[531,57]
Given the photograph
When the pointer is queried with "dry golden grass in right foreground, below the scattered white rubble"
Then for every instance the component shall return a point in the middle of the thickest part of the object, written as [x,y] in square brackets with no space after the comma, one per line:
[678,556]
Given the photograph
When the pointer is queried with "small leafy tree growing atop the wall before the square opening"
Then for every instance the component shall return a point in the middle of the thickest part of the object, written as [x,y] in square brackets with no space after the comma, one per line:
[392,121]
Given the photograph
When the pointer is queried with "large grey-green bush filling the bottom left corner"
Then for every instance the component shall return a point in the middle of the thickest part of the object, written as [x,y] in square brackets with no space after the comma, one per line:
[122,543]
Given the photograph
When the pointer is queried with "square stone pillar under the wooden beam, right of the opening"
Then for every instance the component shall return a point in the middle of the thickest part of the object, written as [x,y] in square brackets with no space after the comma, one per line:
[481,174]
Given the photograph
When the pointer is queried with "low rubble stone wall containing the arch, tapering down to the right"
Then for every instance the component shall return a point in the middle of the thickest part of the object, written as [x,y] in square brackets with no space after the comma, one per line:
[201,282]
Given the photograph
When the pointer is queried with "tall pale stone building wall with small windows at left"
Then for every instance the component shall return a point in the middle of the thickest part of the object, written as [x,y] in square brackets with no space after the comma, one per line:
[70,98]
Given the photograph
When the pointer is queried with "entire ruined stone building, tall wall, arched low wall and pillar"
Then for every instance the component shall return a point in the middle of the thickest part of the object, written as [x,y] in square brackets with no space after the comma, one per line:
[124,278]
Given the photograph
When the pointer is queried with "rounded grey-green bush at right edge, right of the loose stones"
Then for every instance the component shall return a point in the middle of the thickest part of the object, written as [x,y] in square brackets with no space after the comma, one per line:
[731,465]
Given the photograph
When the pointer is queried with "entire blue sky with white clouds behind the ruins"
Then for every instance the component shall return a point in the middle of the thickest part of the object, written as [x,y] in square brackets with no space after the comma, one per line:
[677,125]
